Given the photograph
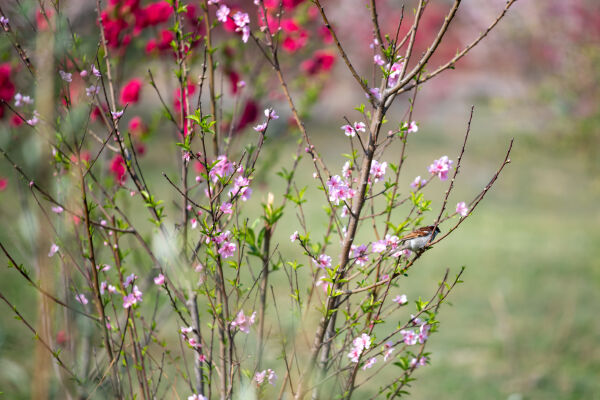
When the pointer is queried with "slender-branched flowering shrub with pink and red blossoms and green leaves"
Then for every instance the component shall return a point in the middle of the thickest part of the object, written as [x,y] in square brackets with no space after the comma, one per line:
[134,267]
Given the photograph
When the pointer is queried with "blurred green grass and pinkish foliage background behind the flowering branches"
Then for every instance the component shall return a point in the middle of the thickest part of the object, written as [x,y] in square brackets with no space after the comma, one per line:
[524,324]
